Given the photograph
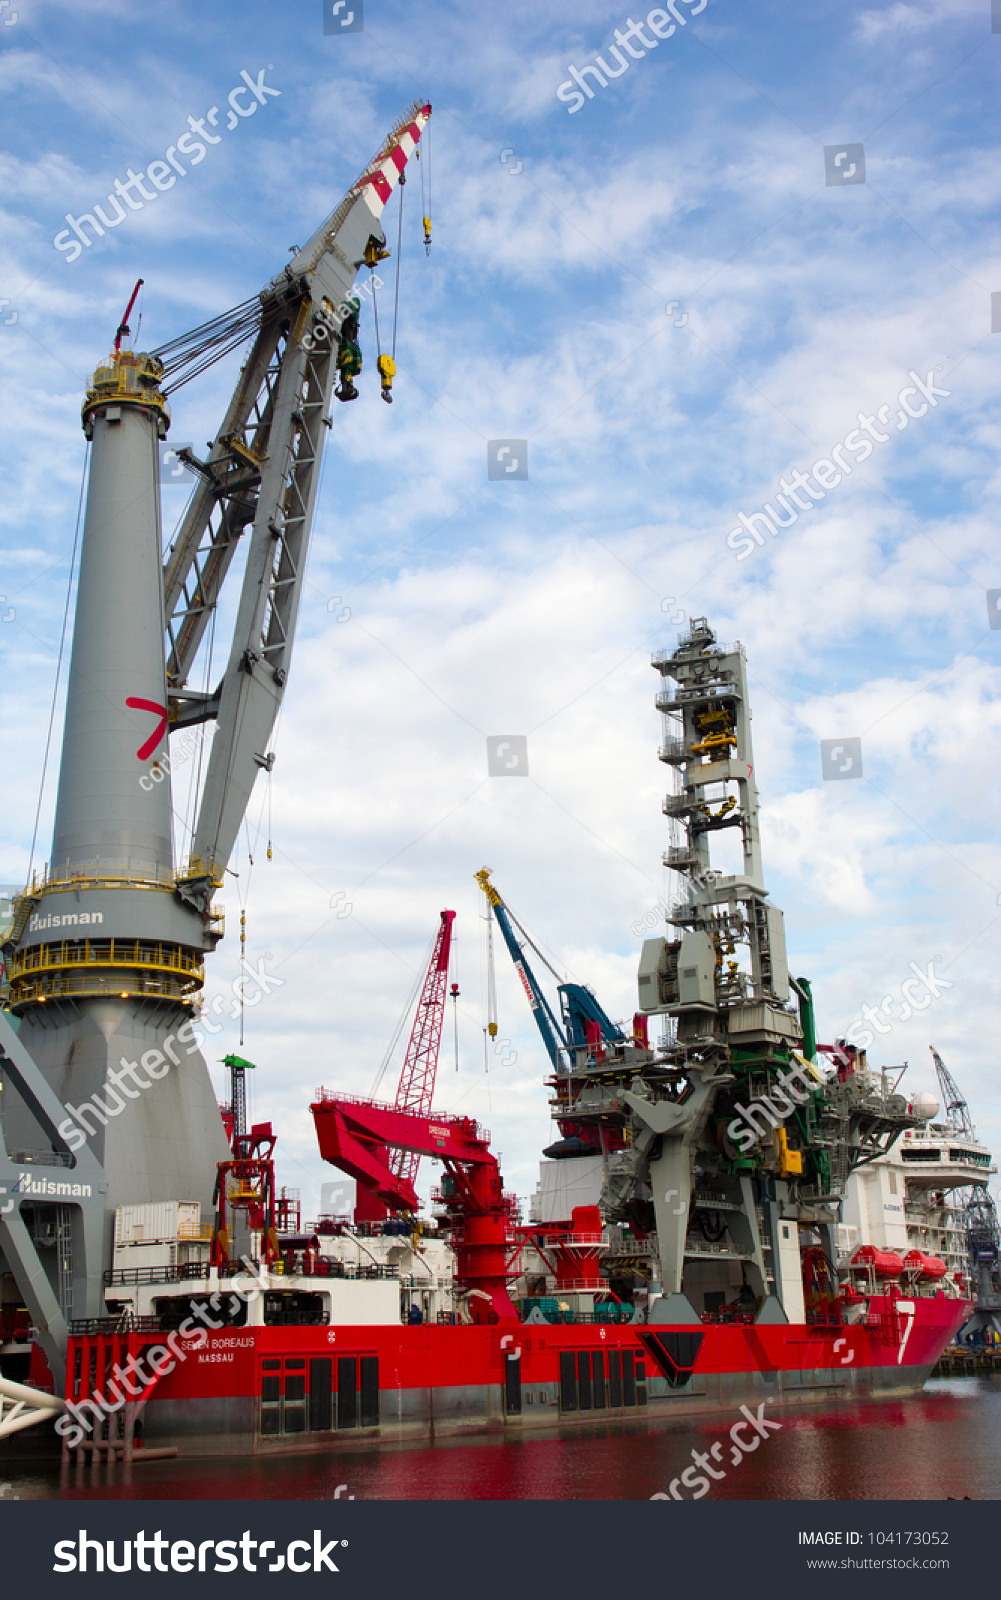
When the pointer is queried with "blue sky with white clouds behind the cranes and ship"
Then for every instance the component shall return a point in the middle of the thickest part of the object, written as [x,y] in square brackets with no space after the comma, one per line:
[676,295]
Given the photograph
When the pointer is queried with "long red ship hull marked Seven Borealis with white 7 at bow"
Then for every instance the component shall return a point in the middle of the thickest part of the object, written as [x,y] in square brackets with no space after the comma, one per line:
[287,1390]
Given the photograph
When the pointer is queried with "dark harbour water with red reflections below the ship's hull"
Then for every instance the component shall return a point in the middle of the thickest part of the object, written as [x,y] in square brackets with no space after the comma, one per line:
[944,1442]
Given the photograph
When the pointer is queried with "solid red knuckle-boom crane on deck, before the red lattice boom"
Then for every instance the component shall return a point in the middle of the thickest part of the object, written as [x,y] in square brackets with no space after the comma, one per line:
[362,1138]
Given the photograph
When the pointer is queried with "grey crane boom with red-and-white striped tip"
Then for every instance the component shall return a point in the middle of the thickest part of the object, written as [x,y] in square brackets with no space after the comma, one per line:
[263,473]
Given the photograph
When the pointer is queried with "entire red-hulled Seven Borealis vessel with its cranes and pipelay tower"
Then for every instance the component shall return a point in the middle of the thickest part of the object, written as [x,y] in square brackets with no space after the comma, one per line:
[140,1254]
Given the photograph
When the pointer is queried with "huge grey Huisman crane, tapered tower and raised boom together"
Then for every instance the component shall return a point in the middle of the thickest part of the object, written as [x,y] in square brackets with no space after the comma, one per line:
[106,956]
